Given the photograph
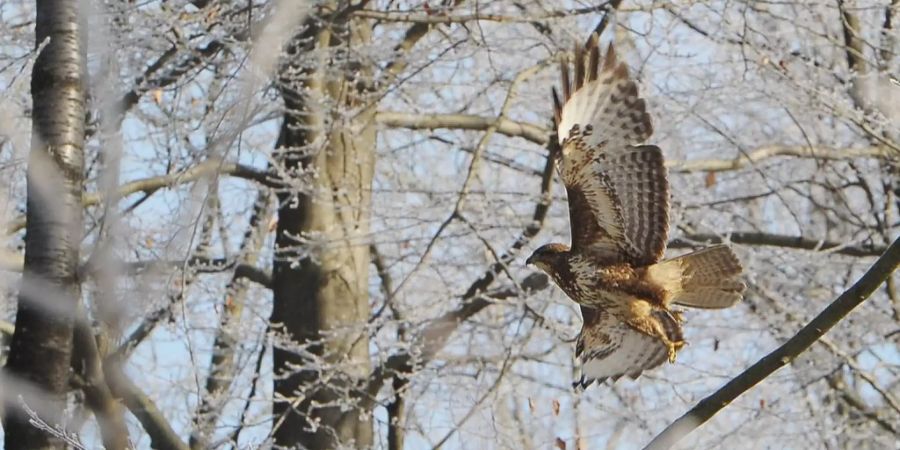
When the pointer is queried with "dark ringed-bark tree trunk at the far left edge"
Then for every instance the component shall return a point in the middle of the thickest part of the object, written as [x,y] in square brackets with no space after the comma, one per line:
[41,345]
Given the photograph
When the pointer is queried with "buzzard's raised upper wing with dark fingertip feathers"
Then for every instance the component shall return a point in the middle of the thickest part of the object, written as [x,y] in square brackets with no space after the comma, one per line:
[617,188]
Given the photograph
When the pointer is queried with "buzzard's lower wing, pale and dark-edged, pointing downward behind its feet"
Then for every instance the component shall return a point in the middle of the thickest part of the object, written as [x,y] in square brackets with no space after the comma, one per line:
[610,349]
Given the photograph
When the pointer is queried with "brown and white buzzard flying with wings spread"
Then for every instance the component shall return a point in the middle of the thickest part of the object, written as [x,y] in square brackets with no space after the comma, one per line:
[619,215]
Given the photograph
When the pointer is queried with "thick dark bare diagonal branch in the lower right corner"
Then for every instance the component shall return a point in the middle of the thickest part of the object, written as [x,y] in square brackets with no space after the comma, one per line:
[834,313]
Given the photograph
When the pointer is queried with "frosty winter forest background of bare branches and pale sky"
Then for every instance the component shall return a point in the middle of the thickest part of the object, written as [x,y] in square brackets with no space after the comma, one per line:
[304,224]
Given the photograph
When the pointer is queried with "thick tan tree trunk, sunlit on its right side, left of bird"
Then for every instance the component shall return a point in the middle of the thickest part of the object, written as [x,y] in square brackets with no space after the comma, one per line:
[321,284]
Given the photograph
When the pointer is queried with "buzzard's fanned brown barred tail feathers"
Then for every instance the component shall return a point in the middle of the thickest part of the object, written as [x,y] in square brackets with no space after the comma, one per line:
[707,279]
